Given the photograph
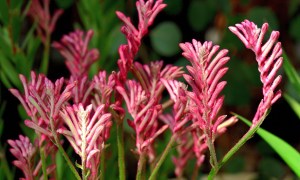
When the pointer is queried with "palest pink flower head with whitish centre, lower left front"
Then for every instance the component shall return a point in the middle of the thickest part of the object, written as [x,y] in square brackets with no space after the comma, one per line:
[86,133]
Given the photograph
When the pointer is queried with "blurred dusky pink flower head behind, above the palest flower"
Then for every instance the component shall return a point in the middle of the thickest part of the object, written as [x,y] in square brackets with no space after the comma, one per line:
[74,48]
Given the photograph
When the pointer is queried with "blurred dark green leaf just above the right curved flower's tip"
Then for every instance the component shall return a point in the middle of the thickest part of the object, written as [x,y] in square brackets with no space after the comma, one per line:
[261,15]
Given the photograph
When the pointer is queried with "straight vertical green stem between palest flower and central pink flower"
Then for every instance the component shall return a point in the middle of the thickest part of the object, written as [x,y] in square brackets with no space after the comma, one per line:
[121,156]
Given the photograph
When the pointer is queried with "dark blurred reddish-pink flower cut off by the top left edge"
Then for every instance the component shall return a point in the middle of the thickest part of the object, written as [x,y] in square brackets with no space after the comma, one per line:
[41,13]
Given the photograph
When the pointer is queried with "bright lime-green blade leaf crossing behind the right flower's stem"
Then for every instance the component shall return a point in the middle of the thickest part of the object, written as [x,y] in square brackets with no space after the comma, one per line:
[290,155]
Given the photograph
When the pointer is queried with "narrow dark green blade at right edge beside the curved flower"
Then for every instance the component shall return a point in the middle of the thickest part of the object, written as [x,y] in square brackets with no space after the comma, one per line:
[291,72]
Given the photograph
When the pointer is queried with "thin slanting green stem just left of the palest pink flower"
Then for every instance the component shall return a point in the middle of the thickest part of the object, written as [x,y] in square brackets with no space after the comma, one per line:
[63,152]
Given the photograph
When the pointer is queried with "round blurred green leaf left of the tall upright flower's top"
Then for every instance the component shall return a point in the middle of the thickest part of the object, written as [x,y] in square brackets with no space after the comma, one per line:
[165,38]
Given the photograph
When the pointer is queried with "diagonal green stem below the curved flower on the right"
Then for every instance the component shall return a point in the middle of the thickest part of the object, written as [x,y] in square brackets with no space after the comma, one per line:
[235,148]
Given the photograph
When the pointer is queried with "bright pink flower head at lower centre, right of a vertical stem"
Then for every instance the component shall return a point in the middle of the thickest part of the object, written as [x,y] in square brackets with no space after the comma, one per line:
[144,111]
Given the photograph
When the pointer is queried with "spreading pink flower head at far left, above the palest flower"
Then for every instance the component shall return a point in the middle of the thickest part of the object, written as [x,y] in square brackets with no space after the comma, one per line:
[42,100]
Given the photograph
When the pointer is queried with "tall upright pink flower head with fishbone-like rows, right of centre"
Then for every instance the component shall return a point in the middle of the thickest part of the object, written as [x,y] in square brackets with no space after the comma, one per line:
[205,74]
